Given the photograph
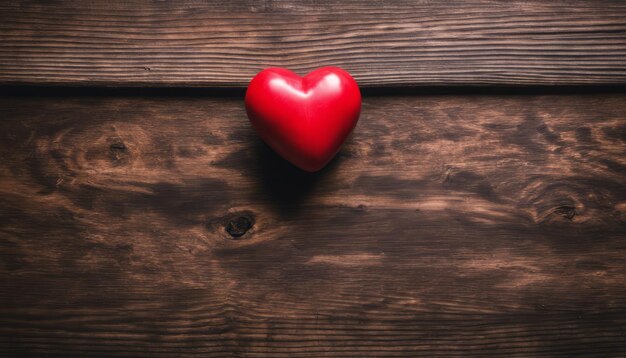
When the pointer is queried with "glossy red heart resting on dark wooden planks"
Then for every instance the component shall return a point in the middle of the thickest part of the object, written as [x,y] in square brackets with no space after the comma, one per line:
[304,119]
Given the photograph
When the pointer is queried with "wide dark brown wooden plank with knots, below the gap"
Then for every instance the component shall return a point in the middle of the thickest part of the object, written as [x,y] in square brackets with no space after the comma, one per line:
[447,226]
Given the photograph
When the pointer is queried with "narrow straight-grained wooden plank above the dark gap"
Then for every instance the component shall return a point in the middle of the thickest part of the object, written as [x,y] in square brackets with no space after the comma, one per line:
[224,43]
